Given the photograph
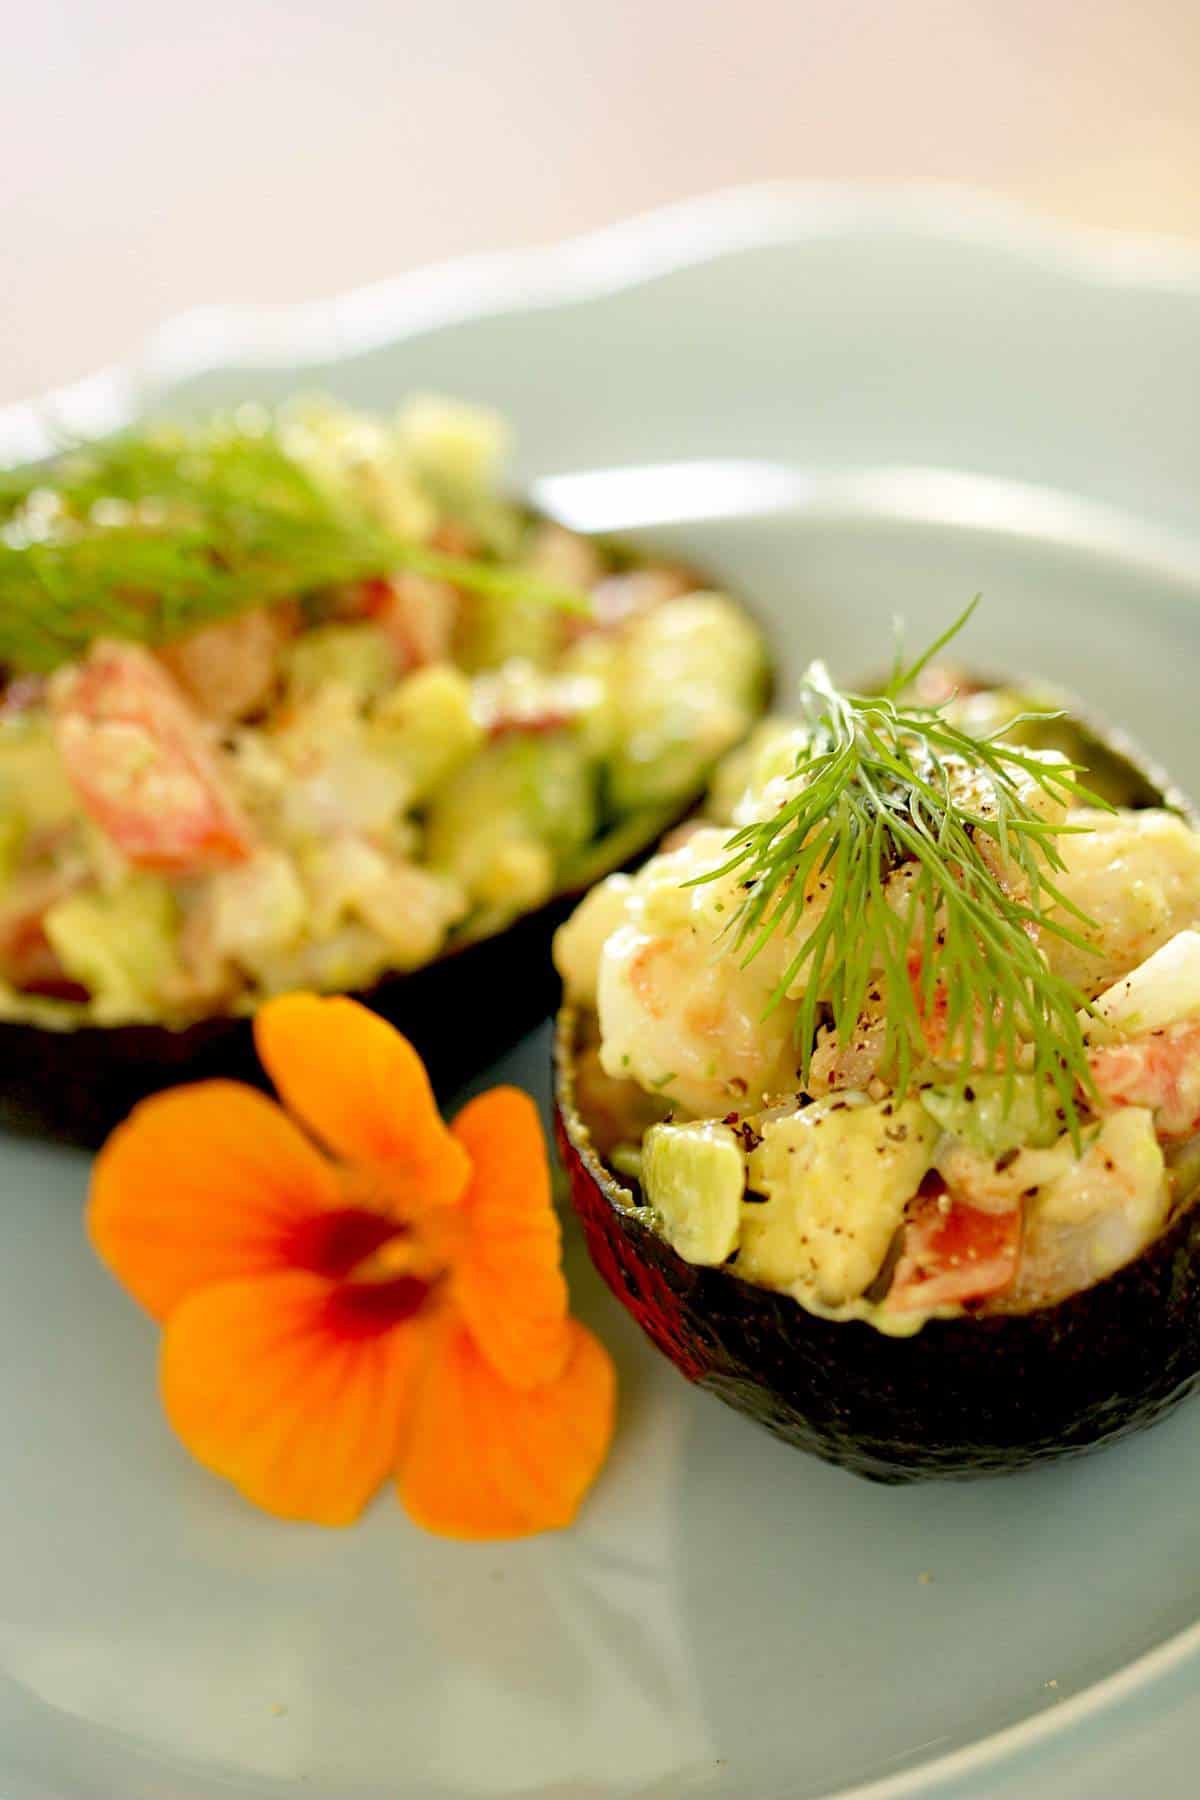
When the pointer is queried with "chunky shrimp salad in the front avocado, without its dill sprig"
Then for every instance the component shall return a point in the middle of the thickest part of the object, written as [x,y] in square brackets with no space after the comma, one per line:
[954,1180]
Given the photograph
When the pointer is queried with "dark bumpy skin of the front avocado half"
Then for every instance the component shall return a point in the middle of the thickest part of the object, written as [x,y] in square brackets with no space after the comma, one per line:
[963,1398]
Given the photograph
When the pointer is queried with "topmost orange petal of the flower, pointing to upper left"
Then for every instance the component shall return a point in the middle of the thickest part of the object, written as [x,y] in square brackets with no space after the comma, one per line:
[359,1086]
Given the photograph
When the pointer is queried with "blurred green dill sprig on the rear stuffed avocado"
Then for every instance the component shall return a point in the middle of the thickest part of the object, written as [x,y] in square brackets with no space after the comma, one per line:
[161,532]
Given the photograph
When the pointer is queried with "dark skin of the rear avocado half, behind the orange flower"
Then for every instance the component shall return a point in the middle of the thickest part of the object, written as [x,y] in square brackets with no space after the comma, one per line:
[460,1012]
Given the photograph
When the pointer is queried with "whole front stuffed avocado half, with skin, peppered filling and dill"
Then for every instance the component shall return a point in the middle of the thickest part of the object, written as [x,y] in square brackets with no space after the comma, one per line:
[881,1092]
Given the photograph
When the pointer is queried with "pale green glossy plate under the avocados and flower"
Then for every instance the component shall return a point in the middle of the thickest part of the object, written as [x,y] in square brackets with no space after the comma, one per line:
[850,406]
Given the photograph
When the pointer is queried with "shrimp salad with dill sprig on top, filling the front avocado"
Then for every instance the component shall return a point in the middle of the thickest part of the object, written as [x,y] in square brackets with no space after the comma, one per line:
[911,1029]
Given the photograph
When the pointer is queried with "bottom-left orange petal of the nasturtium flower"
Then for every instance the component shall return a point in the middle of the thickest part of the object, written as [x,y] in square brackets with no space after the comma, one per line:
[265,1390]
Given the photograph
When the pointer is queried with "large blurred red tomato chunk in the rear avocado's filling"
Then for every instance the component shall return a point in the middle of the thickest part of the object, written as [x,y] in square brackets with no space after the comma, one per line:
[143,766]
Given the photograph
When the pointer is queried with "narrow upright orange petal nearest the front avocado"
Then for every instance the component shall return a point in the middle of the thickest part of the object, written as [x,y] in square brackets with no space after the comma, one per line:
[508,1279]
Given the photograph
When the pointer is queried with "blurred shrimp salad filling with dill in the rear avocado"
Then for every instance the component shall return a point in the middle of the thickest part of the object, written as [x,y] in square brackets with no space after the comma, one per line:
[346,771]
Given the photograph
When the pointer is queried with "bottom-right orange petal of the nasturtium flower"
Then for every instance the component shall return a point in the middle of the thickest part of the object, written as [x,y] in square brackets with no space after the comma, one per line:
[488,1461]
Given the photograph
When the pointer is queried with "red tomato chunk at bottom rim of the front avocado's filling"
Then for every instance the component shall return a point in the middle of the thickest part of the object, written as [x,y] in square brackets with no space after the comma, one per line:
[954,1254]
